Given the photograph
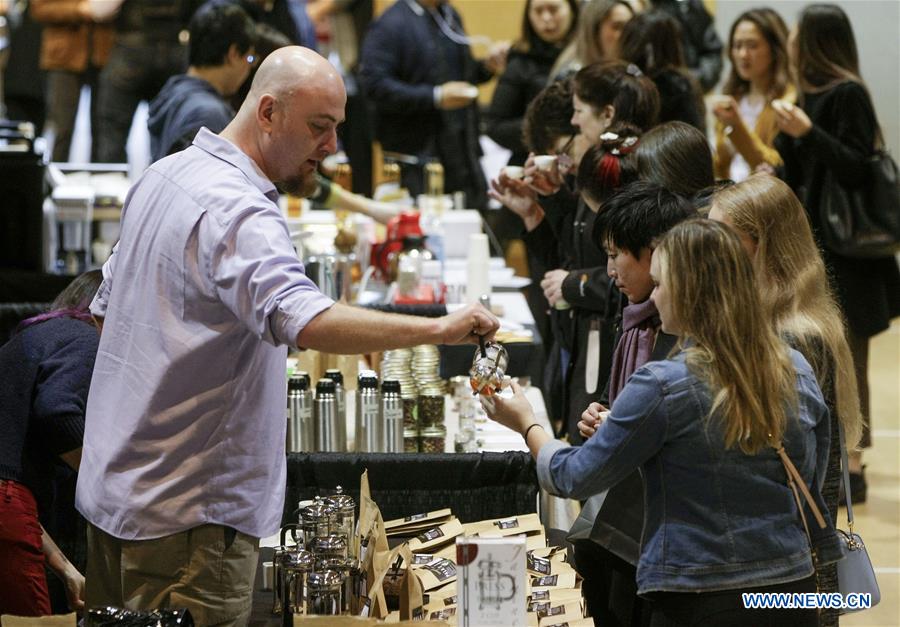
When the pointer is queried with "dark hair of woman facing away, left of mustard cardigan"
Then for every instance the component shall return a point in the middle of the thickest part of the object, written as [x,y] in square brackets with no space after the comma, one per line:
[652,41]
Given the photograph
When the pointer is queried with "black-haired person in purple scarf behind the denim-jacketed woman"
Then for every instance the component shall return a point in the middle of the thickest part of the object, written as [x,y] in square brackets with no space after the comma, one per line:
[629,226]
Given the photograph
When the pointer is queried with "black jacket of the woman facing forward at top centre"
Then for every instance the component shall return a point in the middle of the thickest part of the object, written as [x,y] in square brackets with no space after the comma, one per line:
[525,76]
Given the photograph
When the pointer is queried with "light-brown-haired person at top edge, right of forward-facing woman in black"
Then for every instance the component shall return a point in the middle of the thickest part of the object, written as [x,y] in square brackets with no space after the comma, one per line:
[600,23]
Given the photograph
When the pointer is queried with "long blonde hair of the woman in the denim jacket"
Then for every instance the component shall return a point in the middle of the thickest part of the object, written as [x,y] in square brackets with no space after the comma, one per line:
[728,341]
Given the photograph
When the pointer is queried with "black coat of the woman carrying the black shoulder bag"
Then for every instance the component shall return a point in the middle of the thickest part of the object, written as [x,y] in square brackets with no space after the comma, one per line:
[843,135]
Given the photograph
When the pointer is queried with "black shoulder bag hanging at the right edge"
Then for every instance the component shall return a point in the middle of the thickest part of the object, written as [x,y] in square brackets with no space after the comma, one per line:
[863,221]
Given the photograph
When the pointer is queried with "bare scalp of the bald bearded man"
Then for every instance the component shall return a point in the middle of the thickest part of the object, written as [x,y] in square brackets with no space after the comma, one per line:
[293,70]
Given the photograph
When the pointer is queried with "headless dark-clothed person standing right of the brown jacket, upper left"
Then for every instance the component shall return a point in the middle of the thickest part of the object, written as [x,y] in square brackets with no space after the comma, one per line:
[150,46]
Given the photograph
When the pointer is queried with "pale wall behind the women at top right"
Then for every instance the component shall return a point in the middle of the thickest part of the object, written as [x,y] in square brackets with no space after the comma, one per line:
[876,24]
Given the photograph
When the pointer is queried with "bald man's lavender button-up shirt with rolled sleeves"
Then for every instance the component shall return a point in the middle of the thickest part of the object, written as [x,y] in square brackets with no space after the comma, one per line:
[185,420]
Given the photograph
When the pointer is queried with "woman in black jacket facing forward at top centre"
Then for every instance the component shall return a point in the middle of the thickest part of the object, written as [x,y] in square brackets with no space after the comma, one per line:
[547,27]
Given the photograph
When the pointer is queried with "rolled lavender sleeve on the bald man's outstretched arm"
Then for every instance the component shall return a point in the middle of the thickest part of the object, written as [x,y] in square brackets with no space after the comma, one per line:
[258,276]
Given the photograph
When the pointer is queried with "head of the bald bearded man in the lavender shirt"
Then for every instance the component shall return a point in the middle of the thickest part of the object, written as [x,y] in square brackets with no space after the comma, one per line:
[288,122]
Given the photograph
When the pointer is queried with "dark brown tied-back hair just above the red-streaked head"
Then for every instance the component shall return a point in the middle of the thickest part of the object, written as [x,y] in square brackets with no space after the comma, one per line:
[633,96]
